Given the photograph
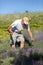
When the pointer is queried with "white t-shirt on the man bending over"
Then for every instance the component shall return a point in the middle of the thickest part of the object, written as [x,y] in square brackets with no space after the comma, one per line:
[17,25]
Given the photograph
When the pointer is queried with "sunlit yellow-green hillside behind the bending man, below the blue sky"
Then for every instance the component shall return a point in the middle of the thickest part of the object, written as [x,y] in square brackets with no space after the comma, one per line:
[6,19]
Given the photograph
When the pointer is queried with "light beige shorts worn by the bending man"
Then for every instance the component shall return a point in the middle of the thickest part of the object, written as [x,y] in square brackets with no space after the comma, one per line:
[16,37]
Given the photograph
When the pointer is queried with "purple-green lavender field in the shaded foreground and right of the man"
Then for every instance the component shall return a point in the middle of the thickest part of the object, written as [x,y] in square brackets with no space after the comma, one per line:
[31,55]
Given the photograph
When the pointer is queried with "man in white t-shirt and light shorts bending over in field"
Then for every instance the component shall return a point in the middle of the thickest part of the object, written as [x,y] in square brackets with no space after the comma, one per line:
[15,31]
